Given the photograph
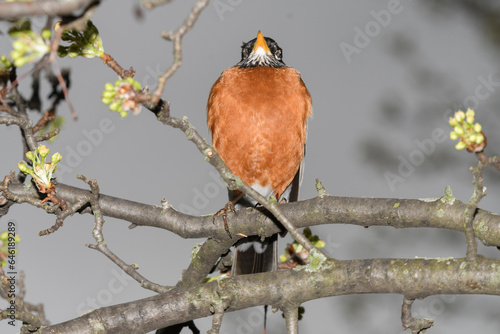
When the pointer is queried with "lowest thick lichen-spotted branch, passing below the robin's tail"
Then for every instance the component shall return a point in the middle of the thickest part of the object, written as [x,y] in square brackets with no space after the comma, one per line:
[413,278]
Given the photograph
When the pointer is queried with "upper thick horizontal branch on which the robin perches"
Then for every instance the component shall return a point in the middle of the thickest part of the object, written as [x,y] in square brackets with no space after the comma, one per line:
[446,213]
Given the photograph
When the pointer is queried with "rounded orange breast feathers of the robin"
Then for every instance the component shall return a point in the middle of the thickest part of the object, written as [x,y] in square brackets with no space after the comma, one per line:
[257,117]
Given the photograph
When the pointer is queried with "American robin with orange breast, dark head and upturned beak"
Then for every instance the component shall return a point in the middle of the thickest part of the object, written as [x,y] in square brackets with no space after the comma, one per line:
[257,114]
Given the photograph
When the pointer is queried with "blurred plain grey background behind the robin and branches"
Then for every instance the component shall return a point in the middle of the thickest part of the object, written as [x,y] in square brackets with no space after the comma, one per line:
[384,77]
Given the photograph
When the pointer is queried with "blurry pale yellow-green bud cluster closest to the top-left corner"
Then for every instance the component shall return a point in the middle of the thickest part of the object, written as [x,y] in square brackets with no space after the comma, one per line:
[28,45]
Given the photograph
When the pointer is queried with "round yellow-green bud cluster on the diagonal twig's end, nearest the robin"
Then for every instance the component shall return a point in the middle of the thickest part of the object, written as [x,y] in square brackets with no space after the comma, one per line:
[121,96]
